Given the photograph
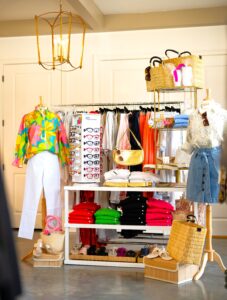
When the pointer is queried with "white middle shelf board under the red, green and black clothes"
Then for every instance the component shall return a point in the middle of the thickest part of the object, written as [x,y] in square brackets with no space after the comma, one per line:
[148,229]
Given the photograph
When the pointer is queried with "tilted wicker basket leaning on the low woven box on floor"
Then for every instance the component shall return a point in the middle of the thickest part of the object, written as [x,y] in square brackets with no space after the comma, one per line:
[186,242]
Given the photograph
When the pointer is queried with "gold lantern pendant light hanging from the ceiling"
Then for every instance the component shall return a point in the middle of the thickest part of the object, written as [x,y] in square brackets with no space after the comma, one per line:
[61,53]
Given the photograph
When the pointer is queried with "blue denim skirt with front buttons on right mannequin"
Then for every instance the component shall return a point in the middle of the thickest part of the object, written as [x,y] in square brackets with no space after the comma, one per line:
[203,175]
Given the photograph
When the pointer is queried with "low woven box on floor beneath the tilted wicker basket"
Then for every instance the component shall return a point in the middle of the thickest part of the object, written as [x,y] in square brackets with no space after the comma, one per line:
[169,271]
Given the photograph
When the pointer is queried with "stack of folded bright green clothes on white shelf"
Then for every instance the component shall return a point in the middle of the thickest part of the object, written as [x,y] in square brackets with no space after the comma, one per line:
[107,216]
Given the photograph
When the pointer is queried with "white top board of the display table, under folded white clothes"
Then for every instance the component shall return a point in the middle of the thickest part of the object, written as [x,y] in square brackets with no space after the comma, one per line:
[84,187]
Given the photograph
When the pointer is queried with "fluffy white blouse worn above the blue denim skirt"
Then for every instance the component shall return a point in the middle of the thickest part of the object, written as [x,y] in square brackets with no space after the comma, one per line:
[206,127]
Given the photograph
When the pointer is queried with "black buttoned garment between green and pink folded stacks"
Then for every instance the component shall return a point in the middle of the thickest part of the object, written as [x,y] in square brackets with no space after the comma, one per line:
[134,210]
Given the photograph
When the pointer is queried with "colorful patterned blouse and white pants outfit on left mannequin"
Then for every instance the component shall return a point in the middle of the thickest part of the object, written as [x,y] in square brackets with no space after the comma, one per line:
[41,141]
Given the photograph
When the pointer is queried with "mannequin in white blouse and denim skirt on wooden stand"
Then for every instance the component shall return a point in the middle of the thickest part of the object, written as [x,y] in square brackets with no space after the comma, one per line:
[204,138]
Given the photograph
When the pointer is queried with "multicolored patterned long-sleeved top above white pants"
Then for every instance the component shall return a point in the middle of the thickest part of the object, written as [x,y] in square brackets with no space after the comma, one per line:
[41,130]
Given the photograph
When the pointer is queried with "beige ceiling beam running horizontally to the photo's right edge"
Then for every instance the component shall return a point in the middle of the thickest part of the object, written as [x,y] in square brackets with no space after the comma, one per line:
[167,19]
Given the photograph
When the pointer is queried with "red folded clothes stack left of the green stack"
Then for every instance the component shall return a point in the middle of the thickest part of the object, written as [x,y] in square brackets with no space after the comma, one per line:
[83,213]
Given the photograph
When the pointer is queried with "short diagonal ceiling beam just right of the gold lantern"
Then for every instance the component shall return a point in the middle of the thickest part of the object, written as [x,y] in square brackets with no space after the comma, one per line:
[89,12]
